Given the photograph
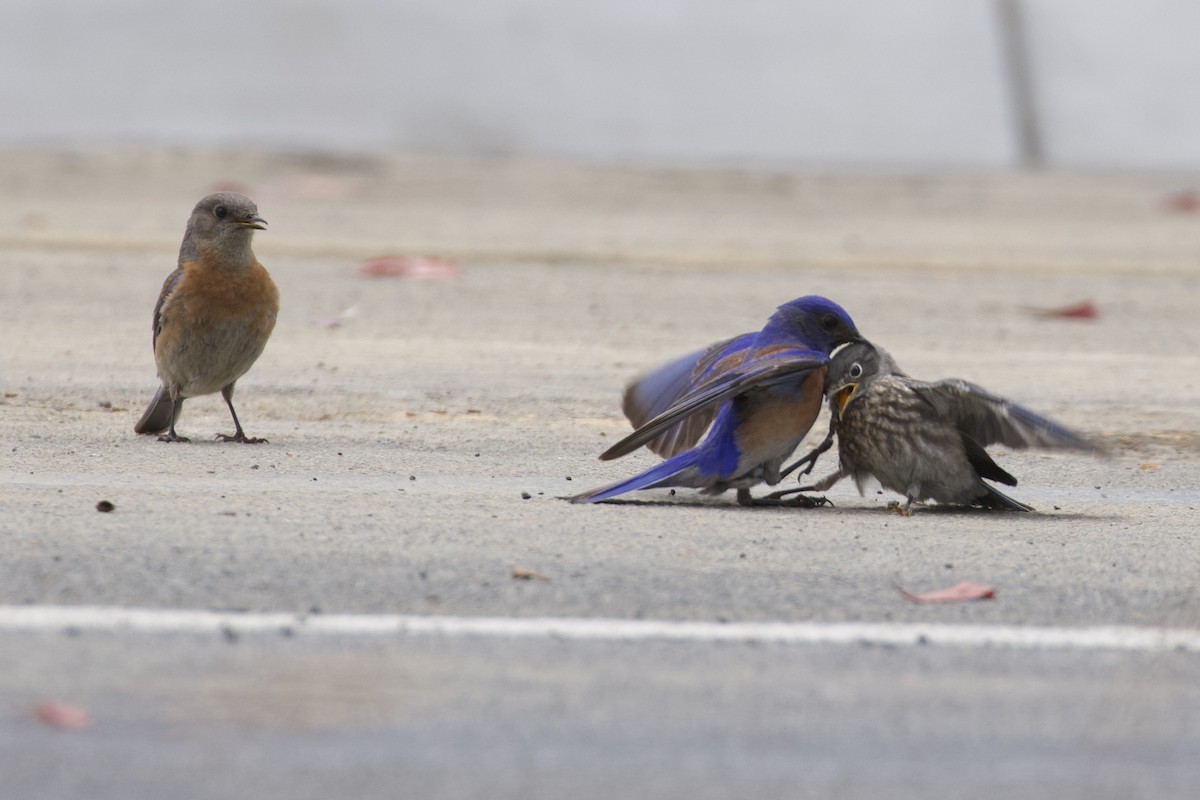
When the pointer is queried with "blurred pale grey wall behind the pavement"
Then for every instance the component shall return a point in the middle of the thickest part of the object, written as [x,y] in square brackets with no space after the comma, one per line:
[1112,85]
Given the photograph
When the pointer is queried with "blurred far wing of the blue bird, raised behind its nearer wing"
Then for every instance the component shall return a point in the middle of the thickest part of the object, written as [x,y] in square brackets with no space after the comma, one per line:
[655,393]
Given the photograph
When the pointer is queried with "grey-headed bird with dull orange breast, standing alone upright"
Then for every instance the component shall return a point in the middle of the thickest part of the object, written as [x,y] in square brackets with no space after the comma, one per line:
[214,315]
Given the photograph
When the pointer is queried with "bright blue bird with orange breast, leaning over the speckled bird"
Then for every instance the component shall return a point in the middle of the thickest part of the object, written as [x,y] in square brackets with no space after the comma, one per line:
[760,393]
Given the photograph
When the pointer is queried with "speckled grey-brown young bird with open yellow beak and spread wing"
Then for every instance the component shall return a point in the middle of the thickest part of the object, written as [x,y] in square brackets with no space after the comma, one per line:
[926,441]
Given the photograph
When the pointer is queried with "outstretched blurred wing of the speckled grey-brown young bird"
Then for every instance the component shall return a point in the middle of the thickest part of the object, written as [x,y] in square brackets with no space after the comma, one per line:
[989,419]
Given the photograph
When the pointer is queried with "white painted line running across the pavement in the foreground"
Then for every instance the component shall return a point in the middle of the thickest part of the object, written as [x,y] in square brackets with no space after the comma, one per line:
[149,621]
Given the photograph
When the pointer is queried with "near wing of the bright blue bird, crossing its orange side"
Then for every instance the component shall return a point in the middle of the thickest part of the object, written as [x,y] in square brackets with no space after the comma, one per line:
[763,370]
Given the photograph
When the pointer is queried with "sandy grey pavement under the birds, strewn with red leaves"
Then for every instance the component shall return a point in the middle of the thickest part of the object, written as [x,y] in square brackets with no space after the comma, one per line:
[423,429]
